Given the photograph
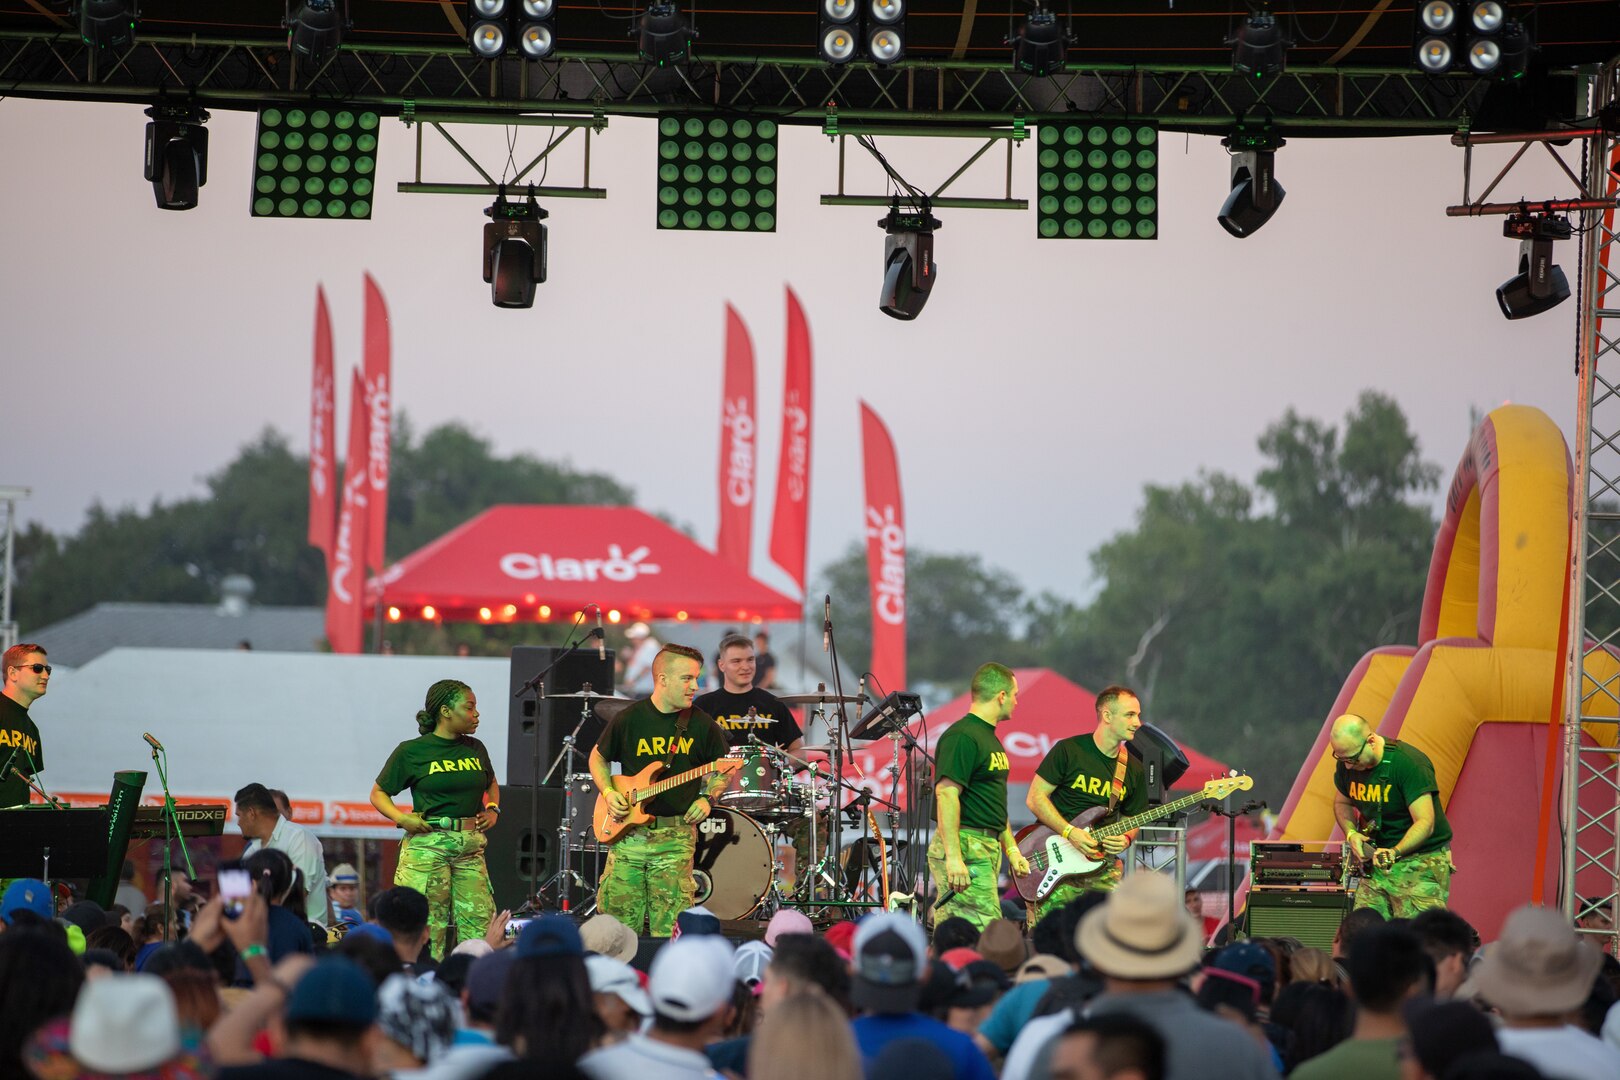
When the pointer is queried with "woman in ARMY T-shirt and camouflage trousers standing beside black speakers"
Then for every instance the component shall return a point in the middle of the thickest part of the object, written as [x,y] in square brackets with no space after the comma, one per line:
[454,802]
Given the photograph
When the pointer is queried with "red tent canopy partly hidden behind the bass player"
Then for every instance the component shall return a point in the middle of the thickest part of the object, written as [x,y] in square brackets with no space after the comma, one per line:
[1049,708]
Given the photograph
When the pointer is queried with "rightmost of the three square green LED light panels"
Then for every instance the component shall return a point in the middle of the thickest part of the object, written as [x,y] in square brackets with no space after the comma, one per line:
[1098,182]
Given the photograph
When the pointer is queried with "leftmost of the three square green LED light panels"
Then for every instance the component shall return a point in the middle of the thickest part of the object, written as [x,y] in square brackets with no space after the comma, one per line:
[315,163]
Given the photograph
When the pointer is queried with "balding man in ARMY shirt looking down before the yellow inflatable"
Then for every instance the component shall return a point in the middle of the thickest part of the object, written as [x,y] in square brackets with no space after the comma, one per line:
[1389,807]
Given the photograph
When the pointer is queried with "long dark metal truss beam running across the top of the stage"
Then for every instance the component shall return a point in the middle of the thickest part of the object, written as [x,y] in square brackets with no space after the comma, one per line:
[236,74]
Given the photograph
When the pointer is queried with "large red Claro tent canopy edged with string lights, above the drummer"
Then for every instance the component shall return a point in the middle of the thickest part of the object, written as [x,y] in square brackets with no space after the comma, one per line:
[542,563]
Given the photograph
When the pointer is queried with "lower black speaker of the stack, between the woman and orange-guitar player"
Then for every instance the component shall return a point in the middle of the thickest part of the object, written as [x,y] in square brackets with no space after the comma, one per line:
[514,849]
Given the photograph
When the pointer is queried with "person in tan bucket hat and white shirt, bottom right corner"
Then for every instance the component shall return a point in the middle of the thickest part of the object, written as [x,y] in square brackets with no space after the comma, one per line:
[1538,974]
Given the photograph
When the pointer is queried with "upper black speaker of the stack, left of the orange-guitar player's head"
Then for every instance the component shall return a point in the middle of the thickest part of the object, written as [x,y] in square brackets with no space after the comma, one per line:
[553,718]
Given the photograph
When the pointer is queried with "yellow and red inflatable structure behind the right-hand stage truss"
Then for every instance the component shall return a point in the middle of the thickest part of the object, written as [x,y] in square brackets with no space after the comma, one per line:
[1477,692]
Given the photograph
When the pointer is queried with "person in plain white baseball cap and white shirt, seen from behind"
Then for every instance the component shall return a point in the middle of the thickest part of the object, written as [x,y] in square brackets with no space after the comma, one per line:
[689,987]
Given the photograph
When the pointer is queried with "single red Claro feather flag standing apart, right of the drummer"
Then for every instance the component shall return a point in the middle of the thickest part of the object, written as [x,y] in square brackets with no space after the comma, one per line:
[885,553]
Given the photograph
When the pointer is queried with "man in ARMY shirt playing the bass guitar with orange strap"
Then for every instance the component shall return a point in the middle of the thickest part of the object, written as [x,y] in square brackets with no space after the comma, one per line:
[1080,773]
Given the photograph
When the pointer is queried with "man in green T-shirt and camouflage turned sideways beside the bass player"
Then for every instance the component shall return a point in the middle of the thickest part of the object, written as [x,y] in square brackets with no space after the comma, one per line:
[971,799]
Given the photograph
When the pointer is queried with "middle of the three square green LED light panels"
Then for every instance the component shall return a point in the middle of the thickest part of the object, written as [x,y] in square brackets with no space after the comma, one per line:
[717,174]
